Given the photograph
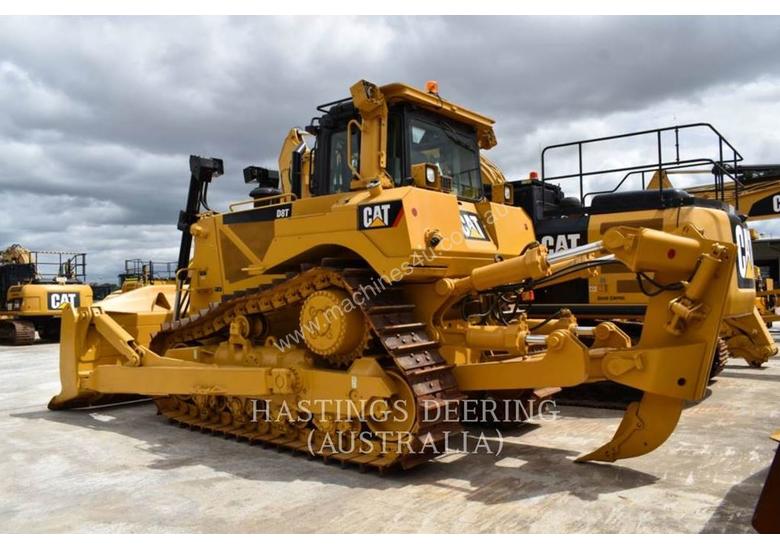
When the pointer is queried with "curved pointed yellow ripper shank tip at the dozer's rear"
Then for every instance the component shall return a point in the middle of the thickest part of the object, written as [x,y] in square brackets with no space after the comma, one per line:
[645,426]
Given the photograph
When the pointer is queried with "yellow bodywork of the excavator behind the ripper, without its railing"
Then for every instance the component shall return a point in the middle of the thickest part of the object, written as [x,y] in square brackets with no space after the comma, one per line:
[616,292]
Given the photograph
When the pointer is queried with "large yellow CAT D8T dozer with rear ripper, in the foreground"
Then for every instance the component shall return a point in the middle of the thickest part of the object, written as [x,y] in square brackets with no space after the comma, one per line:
[367,292]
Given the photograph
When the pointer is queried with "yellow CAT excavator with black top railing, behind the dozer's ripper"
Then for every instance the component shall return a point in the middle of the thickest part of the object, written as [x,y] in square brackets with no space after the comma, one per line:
[641,195]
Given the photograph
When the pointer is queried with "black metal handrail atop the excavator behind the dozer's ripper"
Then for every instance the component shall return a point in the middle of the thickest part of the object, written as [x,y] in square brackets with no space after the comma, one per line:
[731,158]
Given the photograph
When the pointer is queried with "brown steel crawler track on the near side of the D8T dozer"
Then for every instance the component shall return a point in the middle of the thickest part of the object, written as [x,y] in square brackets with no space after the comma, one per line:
[399,342]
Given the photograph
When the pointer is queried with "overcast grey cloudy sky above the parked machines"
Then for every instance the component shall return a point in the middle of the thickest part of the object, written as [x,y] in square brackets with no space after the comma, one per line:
[99,115]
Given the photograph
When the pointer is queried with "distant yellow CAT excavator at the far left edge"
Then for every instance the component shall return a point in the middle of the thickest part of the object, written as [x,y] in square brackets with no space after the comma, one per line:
[34,287]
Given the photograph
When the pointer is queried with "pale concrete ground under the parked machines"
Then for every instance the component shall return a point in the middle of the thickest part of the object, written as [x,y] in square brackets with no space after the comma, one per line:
[124,469]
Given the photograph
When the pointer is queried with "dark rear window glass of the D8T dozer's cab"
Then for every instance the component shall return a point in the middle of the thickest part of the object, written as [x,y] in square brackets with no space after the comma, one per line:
[454,151]
